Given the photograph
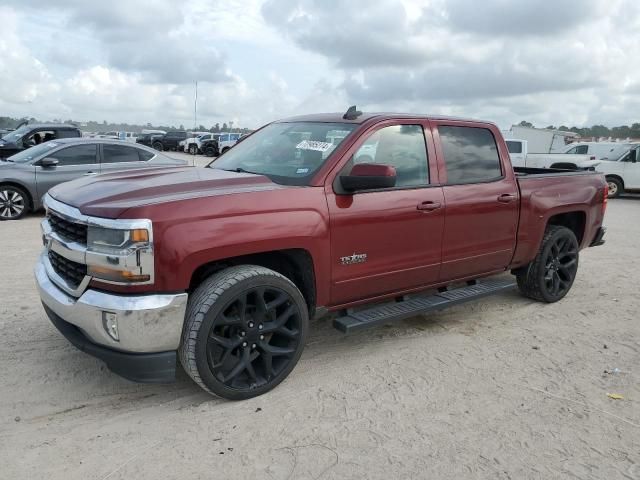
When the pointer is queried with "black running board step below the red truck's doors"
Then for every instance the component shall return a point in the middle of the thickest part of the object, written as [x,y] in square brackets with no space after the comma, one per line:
[392,312]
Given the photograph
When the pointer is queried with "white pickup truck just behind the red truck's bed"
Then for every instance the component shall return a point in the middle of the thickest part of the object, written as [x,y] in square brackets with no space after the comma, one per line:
[521,158]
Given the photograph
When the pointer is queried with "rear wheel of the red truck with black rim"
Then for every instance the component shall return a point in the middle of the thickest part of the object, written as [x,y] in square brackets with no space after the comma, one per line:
[549,277]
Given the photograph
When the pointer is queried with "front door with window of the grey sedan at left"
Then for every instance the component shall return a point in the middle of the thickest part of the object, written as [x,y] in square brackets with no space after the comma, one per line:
[73,162]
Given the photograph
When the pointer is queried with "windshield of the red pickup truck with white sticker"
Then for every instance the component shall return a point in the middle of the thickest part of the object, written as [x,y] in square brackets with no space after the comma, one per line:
[287,153]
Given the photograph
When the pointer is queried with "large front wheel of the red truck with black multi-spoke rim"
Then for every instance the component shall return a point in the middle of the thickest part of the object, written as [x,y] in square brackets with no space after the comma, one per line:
[244,332]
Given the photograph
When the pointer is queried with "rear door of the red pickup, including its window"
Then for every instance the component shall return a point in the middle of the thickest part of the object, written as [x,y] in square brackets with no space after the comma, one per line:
[482,200]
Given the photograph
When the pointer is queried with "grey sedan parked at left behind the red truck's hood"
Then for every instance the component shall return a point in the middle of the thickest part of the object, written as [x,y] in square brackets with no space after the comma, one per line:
[27,176]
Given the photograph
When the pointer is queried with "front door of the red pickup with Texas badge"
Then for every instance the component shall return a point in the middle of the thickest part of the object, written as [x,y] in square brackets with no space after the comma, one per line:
[388,240]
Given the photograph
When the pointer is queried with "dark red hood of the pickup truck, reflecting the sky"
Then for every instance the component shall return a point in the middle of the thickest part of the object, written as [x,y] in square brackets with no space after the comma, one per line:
[110,195]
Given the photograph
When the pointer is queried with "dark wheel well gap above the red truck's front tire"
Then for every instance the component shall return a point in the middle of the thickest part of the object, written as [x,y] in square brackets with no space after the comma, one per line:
[296,264]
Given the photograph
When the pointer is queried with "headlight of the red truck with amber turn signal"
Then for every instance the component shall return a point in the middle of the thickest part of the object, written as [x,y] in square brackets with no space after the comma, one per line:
[120,255]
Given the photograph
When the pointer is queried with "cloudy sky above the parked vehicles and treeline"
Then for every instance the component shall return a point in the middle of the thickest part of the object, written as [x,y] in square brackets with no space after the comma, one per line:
[561,62]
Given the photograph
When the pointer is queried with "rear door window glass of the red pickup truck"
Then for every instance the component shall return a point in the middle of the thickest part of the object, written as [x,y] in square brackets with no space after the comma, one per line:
[470,155]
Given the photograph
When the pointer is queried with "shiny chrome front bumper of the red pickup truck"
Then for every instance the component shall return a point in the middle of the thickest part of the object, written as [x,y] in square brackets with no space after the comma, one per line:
[146,323]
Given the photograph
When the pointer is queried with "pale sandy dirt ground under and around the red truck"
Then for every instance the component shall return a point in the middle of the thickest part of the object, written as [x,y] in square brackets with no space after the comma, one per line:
[503,388]
